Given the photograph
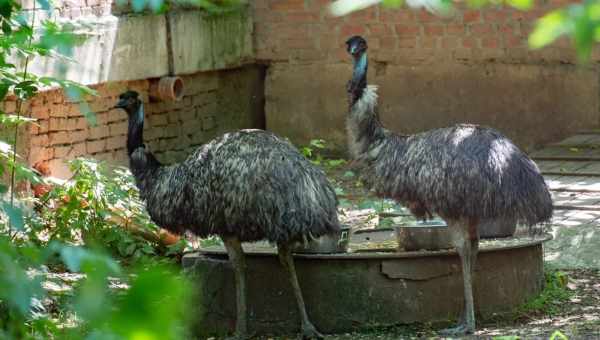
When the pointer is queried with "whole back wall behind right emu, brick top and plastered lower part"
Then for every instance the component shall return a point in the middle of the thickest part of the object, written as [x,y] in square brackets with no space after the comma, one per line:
[473,67]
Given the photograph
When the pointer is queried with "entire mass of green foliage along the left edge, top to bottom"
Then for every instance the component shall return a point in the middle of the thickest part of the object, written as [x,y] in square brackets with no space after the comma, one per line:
[71,224]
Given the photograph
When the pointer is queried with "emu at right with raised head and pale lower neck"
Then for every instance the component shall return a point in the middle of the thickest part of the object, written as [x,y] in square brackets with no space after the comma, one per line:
[463,173]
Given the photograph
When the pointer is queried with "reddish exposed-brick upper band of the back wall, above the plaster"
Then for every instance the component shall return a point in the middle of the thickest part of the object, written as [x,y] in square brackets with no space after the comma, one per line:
[301,31]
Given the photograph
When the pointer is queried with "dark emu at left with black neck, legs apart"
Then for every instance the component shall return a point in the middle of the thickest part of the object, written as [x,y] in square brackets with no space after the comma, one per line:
[244,186]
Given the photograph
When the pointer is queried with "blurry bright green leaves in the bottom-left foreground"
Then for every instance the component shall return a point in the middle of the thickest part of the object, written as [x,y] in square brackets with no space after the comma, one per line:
[151,307]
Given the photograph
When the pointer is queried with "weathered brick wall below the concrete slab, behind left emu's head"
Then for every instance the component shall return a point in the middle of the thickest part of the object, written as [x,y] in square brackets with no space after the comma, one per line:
[172,128]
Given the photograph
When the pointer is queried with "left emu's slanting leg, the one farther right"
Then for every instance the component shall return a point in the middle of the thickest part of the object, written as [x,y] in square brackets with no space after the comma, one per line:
[309,331]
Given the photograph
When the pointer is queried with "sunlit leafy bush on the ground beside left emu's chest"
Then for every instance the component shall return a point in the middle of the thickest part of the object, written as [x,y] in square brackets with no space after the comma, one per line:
[98,205]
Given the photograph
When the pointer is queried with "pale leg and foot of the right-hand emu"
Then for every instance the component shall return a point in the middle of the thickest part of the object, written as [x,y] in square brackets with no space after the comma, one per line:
[466,240]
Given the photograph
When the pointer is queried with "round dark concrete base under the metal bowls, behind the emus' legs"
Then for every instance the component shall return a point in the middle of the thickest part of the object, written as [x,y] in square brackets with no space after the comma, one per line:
[344,292]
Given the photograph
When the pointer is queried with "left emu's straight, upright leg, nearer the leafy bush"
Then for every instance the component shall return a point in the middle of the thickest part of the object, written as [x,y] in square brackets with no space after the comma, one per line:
[236,256]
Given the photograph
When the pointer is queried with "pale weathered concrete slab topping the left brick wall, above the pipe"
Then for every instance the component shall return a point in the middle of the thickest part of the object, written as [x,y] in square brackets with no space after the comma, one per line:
[125,48]
